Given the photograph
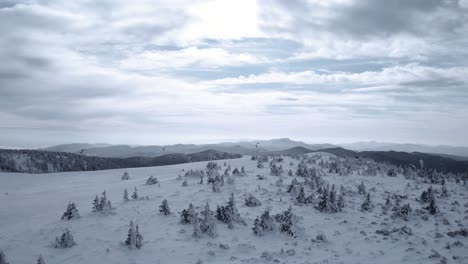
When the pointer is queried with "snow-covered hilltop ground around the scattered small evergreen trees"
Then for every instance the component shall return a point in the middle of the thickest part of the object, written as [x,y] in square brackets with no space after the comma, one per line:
[31,206]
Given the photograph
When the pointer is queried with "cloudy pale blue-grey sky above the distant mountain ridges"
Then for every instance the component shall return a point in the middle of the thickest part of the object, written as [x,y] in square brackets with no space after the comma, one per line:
[162,72]
